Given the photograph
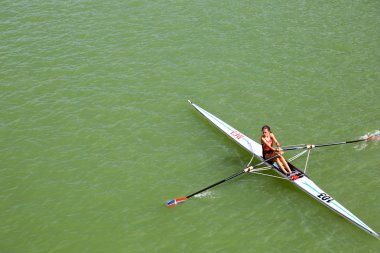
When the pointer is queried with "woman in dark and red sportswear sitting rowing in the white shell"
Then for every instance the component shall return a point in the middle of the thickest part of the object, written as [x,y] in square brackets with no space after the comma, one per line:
[267,141]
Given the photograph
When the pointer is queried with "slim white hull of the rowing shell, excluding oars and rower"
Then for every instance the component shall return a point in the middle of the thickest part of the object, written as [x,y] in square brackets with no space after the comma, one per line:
[301,180]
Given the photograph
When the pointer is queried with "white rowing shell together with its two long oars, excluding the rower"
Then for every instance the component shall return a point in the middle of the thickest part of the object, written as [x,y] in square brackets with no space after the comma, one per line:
[298,178]
